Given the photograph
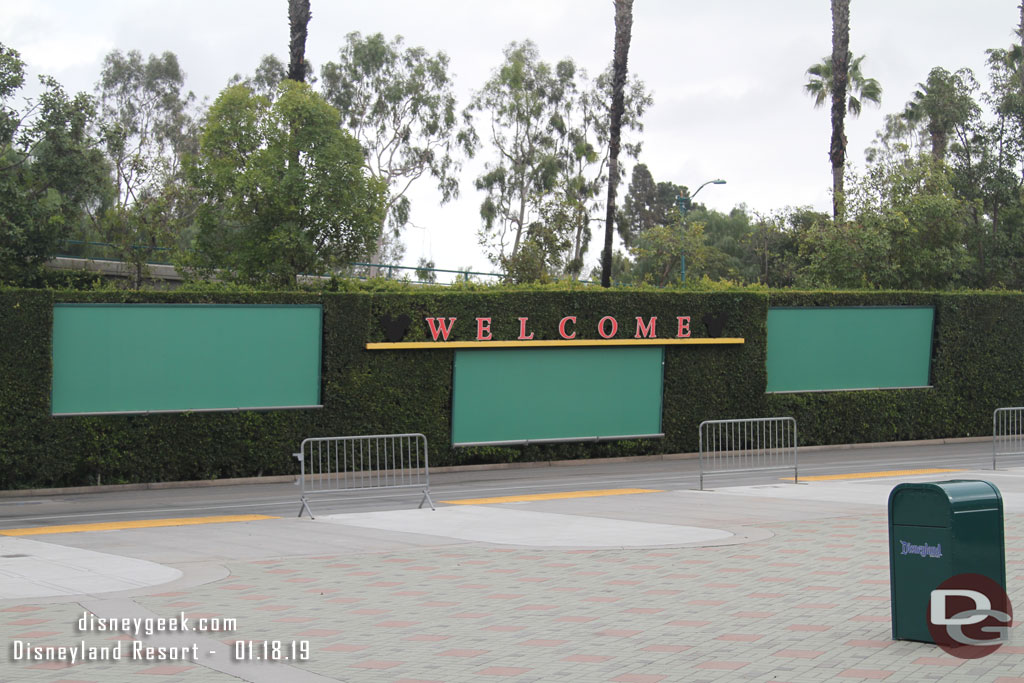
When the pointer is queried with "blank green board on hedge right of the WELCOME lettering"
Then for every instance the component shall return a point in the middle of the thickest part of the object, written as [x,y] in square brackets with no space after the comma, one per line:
[830,350]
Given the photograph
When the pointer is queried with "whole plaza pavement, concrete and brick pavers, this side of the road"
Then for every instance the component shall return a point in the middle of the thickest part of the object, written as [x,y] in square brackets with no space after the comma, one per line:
[773,583]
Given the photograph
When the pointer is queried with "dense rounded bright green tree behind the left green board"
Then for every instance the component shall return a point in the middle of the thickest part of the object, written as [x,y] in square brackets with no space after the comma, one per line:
[284,188]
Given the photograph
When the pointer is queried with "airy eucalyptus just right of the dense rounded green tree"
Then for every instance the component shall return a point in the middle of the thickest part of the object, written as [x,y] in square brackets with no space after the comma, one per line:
[400,104]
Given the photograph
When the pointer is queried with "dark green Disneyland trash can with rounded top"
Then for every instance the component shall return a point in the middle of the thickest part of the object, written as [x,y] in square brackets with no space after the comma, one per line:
[938,531]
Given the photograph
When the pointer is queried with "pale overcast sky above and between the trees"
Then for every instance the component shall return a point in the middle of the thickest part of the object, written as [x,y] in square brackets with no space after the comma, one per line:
[727,76]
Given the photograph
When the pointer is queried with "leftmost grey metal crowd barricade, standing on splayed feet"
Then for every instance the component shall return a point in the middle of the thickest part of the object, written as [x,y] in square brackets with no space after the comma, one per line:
[337,464]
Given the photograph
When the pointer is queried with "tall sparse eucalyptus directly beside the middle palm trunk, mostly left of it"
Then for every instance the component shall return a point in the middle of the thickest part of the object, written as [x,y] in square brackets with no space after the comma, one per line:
[549,140]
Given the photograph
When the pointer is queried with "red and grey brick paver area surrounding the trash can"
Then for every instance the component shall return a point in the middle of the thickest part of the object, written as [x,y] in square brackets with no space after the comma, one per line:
[809,605]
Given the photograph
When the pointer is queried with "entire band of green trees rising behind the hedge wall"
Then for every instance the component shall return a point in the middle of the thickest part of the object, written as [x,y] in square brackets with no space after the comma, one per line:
[275,180]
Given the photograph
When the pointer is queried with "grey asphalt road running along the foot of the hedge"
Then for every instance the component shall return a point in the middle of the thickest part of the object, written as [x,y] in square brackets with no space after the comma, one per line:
[283,499]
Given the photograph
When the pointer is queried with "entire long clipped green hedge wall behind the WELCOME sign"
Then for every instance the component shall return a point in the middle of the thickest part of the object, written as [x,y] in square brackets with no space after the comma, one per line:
[977,366]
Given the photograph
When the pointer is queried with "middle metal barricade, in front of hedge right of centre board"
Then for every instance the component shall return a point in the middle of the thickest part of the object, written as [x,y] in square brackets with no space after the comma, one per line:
[748,446]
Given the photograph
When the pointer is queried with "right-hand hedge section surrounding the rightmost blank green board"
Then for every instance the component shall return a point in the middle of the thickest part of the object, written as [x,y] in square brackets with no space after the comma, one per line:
[977,367]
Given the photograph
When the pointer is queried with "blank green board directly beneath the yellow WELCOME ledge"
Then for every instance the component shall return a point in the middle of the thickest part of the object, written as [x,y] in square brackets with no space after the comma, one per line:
[516,396]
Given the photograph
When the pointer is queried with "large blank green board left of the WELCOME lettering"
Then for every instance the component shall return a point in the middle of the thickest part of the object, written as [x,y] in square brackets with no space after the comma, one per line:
[138,359]
